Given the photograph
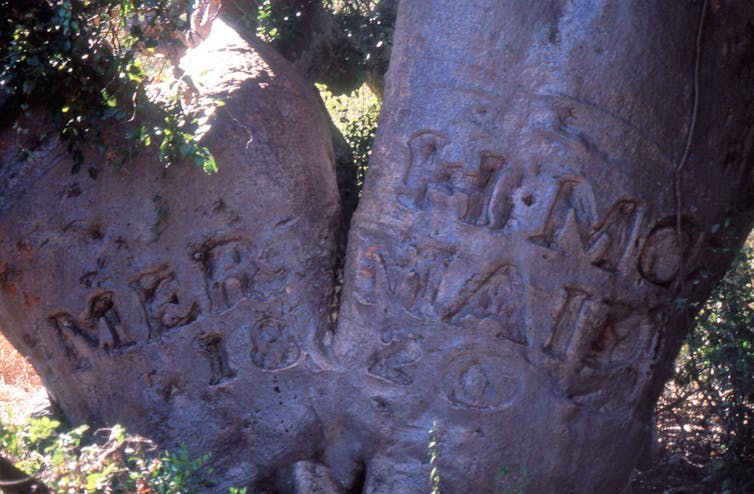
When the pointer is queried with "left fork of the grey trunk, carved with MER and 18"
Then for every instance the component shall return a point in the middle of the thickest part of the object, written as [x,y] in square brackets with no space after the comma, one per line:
[189,307]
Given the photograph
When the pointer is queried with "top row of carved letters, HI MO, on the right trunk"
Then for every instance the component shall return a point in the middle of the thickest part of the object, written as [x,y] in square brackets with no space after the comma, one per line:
[482,194]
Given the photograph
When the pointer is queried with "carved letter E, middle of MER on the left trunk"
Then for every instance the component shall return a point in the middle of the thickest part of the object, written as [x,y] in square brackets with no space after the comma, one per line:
[163,306]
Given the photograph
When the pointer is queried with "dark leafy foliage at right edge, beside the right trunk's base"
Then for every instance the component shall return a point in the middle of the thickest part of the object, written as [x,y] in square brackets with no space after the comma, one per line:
[718,362]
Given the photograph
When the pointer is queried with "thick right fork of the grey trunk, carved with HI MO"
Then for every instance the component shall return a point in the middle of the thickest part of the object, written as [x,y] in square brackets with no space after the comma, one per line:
[516,264]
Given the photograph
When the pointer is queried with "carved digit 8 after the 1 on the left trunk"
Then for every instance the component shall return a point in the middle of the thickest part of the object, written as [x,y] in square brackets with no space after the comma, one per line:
[273,345]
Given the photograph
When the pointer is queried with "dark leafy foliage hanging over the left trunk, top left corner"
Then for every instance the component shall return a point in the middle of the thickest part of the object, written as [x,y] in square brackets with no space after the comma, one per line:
[88,61]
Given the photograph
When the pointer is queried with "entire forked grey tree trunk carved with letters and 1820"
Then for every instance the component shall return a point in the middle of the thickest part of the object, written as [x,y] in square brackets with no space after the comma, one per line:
[552,183]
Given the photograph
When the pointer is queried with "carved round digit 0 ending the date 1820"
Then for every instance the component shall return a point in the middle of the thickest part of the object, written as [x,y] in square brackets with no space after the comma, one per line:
[478,381]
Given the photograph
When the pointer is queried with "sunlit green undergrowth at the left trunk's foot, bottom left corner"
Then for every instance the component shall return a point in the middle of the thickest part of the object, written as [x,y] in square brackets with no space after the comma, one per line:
[82,460]
